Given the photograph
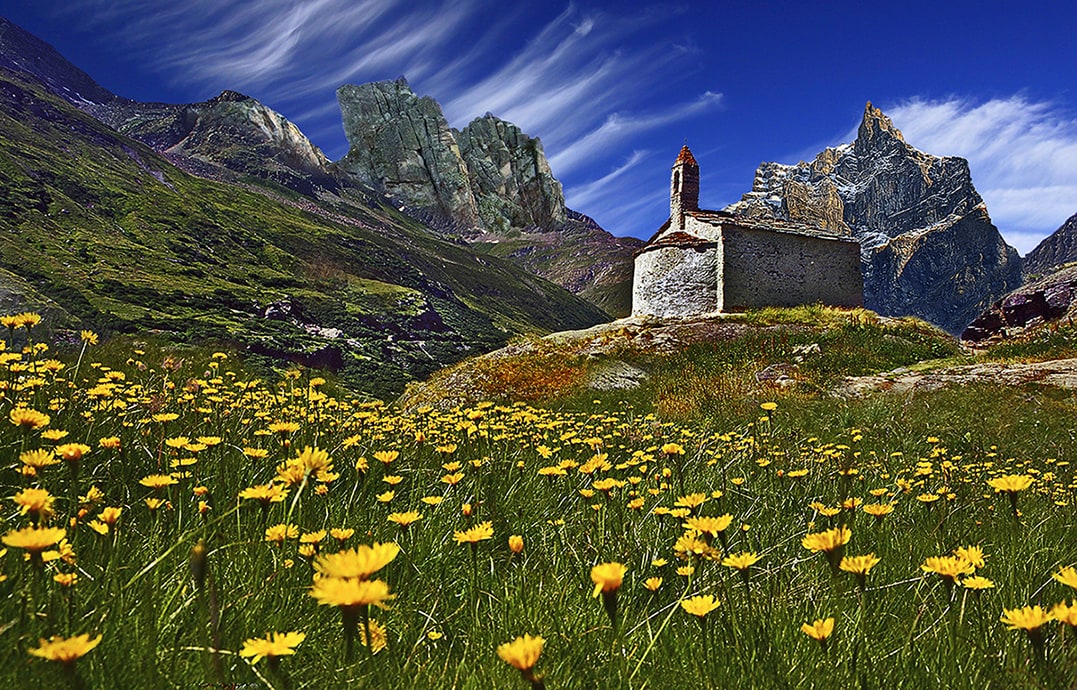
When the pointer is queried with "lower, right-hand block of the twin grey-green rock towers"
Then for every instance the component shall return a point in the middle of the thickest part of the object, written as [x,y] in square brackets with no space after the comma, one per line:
[510,177]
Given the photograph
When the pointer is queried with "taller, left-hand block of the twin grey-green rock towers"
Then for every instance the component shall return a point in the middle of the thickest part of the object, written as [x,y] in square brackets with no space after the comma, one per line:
[402,145]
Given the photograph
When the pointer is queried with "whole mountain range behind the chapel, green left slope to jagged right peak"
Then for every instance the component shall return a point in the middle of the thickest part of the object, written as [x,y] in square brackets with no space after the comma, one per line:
[423,245]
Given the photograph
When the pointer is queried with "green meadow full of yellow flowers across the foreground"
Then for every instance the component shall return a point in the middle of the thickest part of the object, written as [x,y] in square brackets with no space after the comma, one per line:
[176,587]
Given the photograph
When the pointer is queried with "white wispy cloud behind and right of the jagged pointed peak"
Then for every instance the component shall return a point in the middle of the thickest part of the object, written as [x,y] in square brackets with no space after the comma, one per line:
[1023,154]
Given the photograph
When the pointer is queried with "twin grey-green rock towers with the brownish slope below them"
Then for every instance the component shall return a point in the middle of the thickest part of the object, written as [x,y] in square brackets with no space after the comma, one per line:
[489,185]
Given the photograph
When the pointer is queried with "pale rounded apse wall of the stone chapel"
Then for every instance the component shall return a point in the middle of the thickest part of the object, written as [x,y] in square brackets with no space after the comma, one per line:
[676,281]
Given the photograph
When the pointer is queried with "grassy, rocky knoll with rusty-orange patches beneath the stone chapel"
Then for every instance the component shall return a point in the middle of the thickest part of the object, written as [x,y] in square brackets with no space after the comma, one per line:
[715,369]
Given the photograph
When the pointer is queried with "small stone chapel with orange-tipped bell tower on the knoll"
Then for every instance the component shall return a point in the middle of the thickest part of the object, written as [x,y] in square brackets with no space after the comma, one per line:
[708,262]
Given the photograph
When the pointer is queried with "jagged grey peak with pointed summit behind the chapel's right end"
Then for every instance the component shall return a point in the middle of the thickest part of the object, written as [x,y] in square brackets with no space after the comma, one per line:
[929,247]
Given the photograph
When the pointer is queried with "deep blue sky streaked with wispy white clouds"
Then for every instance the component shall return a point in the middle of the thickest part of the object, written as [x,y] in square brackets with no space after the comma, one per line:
[614,89]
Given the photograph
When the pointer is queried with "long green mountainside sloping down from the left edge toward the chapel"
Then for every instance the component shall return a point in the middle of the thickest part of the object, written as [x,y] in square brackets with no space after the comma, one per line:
[107,234]
